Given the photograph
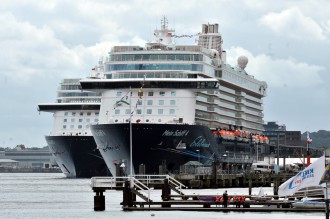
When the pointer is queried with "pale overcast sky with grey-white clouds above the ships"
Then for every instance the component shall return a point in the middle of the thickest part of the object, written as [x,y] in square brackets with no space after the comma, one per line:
[42,42]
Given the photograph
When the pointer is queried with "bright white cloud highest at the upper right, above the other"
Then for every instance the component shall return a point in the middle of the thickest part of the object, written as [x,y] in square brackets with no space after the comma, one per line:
[293,23]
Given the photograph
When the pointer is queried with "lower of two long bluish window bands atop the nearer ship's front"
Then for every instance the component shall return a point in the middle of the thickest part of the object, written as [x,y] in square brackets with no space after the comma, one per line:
[127,67]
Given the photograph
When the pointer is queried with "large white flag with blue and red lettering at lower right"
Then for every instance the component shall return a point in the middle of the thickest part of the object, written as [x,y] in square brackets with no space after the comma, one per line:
[310,176]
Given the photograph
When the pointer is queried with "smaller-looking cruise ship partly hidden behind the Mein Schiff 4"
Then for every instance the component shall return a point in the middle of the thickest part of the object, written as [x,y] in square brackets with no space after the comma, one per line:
[71,141]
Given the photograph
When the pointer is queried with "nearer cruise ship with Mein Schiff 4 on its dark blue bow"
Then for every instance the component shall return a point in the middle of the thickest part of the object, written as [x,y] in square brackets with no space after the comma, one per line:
[166,104]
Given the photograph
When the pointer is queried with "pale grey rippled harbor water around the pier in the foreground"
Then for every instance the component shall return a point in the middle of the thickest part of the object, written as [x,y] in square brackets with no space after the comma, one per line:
[51,195]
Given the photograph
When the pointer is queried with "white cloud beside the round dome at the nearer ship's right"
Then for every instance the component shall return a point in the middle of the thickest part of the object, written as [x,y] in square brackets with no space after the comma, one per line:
[278,72]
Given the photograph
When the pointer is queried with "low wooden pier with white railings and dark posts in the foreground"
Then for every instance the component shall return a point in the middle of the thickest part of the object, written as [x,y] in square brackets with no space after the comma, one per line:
[137,189]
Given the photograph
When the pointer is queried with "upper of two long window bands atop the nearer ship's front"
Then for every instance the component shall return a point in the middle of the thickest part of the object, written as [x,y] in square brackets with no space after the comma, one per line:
[155,57]
